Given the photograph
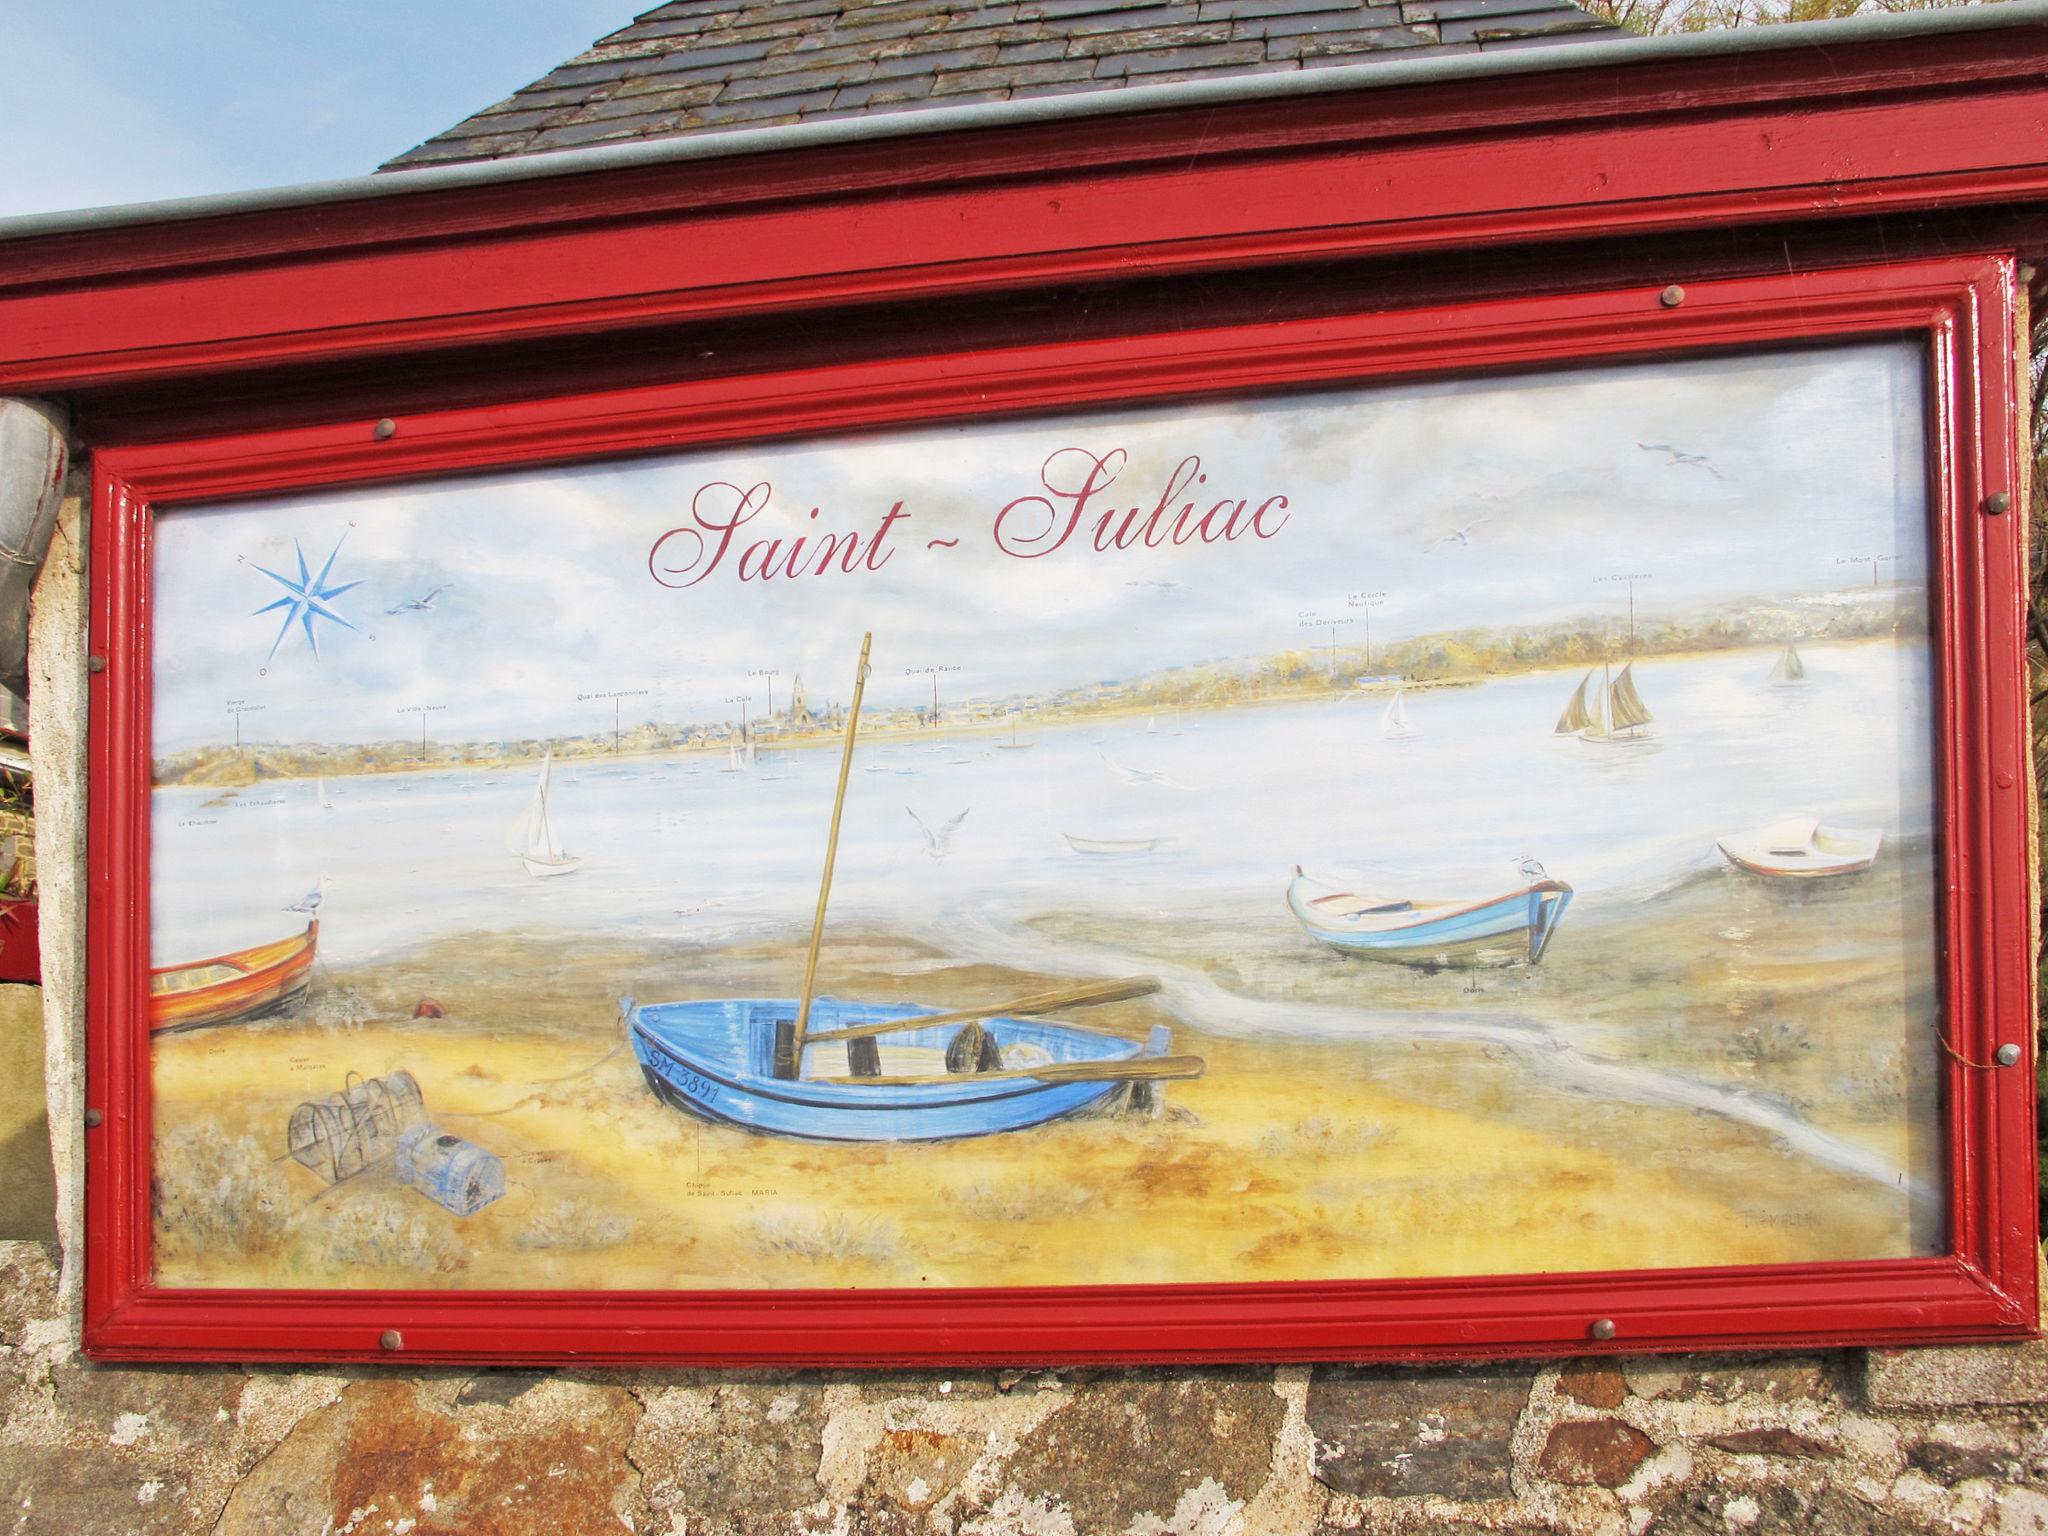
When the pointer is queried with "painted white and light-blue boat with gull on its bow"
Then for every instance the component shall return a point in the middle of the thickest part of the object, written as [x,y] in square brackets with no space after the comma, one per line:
[1510,929]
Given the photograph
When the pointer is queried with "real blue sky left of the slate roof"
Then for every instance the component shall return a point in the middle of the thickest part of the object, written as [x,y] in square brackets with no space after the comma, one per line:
[130,101]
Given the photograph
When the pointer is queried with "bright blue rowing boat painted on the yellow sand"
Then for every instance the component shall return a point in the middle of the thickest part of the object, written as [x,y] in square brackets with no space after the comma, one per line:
[718,1060]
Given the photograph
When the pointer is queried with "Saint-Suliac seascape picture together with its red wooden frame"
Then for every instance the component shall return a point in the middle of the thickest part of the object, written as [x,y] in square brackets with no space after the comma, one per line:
[1486,830]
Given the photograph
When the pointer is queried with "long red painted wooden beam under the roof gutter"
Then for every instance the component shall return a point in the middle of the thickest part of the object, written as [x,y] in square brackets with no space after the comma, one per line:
[1578,155]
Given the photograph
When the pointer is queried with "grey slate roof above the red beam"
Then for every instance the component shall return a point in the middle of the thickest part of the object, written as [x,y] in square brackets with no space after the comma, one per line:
[724,65]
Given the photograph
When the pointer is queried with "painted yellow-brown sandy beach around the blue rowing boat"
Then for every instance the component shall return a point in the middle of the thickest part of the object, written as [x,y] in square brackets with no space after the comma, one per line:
[1490,1123]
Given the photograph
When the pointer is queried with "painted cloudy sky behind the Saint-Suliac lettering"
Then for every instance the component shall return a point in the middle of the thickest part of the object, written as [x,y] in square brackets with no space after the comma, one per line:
[548,603]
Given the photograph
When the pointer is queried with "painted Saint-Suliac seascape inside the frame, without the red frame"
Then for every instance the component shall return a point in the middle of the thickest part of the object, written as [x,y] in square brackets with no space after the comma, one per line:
[1428,830]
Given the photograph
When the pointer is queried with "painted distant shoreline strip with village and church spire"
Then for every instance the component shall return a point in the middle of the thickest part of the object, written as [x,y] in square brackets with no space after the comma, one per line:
[1304,673]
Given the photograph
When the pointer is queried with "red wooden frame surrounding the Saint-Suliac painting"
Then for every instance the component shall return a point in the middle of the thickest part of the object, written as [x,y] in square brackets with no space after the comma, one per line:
[1981,1289]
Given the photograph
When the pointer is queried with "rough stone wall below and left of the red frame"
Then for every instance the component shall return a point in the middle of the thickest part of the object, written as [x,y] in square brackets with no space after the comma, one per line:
[1840,1445]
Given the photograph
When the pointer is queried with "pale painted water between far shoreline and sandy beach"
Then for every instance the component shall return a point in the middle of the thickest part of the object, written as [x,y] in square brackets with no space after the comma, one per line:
[675,847]
